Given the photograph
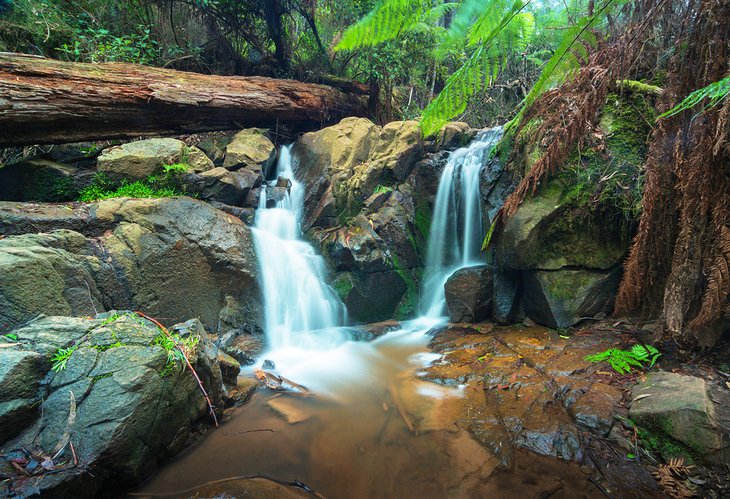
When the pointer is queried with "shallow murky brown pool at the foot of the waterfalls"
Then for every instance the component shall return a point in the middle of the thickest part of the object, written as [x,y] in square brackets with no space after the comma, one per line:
[385,435]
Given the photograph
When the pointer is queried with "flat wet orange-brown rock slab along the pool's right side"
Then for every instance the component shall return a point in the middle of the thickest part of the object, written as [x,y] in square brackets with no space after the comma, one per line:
[526,388]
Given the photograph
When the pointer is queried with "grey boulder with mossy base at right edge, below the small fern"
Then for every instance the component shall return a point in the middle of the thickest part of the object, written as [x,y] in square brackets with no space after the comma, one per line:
[686,409]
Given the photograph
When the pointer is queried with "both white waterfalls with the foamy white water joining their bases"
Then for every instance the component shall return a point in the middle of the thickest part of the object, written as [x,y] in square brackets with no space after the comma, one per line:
[304,315]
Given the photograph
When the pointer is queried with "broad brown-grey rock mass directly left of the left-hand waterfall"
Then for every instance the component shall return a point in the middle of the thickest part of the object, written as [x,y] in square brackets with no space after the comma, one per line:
[172,258]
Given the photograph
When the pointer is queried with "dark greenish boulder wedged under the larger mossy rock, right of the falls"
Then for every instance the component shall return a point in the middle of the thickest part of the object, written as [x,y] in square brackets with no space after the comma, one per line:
[562,298]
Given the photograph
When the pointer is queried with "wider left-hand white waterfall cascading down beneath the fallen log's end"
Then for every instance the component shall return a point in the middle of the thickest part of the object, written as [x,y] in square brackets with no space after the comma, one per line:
[300,309]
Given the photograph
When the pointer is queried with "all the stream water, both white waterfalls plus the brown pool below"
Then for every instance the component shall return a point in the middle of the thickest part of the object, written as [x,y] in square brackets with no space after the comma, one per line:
[371,428]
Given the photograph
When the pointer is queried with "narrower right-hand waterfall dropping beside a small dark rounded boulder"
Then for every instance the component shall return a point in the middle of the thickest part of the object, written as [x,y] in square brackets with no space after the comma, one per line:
[457,229]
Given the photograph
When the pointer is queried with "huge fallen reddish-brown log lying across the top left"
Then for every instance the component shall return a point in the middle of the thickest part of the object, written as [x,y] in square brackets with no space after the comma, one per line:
[45,101]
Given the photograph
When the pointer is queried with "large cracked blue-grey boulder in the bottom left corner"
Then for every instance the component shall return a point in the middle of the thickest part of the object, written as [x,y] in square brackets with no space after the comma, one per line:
[122,399]
